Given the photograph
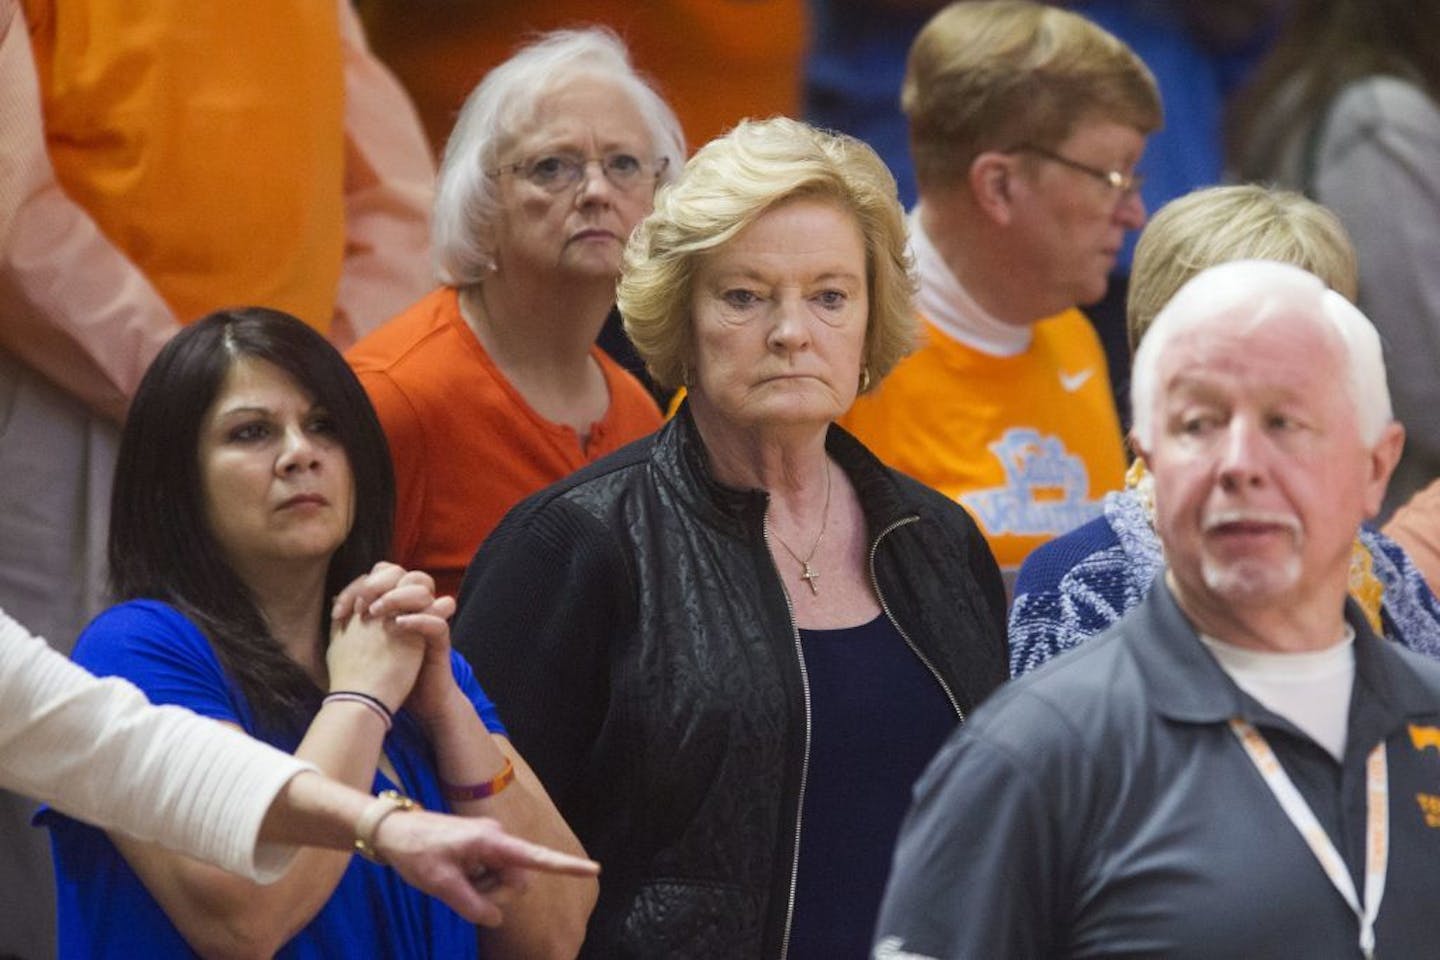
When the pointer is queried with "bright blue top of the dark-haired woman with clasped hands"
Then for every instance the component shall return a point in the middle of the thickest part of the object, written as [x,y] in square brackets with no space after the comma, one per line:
[104,909]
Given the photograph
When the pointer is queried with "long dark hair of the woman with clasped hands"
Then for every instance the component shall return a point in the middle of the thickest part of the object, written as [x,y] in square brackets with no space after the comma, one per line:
[161,543]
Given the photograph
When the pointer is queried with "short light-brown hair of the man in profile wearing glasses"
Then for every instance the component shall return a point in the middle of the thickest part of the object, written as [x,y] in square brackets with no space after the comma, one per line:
[997,74]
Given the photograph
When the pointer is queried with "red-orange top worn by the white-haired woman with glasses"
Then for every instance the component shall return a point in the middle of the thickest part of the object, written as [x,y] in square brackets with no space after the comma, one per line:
[466,444]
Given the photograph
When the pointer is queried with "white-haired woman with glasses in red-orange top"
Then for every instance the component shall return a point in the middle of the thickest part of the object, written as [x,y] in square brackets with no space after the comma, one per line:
[492,386]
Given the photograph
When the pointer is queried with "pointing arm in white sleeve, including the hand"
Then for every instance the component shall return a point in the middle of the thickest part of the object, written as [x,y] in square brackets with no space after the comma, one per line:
[208,791]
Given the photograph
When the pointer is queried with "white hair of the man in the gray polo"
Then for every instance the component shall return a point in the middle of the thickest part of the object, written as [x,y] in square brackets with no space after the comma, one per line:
[1254,293]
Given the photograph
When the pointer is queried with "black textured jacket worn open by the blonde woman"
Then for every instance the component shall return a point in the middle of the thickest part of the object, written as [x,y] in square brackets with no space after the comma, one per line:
[633,631]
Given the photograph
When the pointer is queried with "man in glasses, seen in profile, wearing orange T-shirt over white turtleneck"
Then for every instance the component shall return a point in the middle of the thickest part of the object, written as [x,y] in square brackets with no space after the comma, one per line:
[1026,126]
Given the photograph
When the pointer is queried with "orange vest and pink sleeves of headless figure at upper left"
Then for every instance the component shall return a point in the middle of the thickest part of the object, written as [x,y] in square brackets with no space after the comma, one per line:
[176,159]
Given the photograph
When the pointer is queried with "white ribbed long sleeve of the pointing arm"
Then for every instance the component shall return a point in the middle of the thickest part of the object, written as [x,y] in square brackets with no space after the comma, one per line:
[100,752]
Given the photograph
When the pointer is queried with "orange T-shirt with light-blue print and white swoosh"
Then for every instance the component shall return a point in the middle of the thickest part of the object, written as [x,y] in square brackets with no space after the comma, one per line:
[1029,444]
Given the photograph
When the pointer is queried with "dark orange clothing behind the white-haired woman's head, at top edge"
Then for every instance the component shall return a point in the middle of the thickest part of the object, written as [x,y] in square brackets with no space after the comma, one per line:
[715,61]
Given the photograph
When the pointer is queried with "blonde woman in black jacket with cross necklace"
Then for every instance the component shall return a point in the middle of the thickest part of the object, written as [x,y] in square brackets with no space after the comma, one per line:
[731,650]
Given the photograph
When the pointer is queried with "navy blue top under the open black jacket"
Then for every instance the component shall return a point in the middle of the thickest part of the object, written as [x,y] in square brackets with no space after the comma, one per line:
[878,716]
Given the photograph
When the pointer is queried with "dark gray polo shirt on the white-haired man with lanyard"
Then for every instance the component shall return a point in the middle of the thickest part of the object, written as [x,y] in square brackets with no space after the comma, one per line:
[1102,808]
